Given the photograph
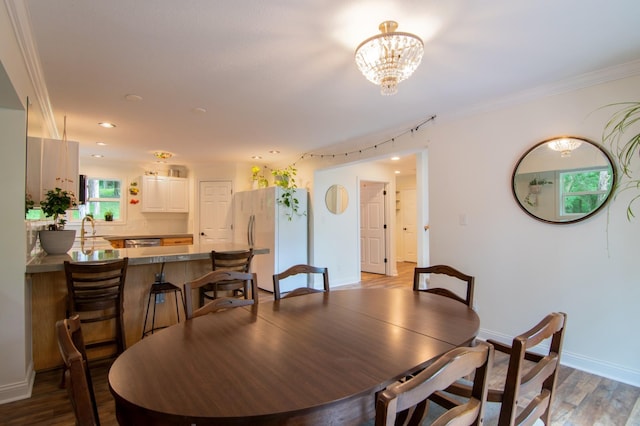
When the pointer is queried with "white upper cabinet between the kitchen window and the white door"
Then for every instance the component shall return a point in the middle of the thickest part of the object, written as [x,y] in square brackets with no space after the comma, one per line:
[164,194]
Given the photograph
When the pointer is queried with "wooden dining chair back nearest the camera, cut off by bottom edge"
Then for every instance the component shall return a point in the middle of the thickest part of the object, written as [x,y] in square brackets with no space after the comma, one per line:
[407,402]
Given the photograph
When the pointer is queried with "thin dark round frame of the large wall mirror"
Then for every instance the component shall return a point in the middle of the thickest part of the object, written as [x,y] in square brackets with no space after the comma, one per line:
[604,153]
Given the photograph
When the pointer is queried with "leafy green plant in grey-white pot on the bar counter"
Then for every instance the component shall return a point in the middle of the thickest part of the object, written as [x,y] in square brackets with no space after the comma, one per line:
[55,239]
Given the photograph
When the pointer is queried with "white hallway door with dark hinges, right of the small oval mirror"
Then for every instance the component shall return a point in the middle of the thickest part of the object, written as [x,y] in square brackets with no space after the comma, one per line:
[372,227]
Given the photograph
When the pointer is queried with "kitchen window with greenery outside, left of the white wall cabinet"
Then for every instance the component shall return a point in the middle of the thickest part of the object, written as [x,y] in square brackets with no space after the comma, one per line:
[104,195]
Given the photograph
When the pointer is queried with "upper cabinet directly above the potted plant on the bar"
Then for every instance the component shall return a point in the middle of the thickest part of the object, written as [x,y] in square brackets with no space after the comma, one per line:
[51,163]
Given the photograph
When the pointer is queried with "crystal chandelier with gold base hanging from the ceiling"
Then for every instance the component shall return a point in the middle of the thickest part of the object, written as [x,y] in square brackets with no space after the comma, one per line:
[390,57]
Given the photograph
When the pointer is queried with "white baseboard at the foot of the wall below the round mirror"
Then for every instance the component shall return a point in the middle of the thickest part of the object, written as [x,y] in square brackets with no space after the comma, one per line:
[580,362]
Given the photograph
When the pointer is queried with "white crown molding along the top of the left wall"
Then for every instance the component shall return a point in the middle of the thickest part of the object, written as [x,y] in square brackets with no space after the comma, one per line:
[21,23]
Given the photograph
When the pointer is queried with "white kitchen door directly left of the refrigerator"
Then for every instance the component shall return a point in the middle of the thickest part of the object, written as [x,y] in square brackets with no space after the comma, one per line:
[216,213]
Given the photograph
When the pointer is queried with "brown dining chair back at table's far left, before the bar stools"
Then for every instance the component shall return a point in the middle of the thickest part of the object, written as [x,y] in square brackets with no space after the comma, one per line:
[248,280]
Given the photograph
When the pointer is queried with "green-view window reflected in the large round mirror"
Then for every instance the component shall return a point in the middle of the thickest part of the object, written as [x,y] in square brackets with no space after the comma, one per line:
[582,191]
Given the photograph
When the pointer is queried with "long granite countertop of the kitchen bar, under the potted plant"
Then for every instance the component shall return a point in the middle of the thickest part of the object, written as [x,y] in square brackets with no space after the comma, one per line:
[42,262]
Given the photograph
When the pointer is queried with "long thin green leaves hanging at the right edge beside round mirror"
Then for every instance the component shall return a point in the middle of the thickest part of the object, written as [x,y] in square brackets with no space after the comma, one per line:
[622,133]
